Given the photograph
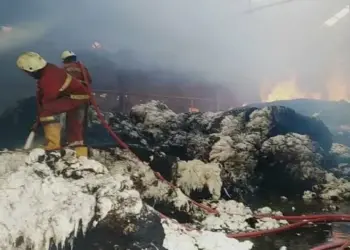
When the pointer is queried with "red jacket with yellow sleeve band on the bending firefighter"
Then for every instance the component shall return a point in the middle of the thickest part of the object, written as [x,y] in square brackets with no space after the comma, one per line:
[58,92]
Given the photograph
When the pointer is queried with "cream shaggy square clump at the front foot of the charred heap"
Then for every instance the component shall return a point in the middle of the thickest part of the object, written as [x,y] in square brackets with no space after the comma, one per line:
[195,175]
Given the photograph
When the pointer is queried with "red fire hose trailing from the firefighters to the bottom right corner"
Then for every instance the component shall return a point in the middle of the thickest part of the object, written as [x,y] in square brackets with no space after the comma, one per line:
[299,221]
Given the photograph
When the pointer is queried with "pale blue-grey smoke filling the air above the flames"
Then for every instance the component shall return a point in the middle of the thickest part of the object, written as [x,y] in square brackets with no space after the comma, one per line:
[240,43]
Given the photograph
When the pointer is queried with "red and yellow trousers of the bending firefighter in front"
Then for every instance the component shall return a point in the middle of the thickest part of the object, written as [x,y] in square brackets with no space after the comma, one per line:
[50,119]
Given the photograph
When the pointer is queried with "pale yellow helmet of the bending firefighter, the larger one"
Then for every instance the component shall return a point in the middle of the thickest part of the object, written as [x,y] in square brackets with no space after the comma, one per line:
[31,62]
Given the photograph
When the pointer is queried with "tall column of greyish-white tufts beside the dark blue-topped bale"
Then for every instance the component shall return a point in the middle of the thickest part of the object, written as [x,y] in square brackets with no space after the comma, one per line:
[236,147]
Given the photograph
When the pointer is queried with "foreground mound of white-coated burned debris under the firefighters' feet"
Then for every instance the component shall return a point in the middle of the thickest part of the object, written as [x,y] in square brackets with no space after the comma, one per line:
[58,201]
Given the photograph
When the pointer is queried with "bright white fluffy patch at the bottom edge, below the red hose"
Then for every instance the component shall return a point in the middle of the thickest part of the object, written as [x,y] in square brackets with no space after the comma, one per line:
[177,237]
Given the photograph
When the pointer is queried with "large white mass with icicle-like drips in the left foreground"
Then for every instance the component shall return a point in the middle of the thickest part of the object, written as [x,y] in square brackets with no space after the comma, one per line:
[38,205]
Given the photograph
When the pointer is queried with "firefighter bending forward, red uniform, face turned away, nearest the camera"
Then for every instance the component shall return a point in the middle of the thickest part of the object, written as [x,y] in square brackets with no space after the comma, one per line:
[57,93]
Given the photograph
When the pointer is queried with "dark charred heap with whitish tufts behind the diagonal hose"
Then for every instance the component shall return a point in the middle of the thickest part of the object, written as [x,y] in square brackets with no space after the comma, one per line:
[231,154]
